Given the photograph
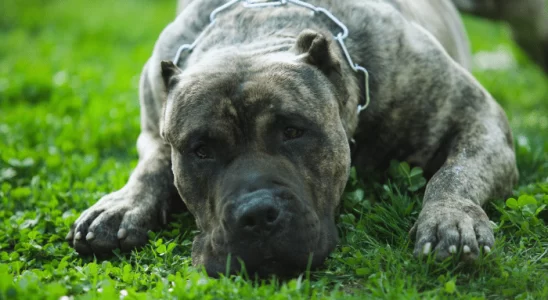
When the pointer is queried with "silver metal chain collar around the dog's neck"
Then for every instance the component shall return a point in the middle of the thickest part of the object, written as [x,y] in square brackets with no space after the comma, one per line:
[339,37]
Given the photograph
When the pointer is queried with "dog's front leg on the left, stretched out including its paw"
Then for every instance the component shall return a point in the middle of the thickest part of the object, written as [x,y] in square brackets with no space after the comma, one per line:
[121,219]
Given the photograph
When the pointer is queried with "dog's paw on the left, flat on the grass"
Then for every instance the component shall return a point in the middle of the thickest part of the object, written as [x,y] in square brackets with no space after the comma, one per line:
[118,220]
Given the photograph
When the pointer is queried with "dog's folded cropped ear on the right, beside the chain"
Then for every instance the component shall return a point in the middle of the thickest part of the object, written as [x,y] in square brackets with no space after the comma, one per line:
[316,50]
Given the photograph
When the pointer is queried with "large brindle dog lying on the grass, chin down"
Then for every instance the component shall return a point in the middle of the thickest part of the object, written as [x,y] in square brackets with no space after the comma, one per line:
[252,132]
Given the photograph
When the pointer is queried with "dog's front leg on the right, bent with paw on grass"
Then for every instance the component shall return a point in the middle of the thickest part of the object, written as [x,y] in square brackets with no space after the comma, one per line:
[480,165]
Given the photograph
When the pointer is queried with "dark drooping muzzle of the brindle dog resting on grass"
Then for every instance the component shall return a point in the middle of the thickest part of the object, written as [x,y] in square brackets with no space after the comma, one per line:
[265,224]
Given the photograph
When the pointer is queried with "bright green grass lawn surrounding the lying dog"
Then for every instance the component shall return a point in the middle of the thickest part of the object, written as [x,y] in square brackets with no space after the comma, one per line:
[69,119]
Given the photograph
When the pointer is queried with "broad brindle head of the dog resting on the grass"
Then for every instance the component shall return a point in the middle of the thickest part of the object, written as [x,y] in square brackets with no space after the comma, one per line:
[260,154]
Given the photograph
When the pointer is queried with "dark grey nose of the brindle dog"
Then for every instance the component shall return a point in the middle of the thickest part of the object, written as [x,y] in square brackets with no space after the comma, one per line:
[259,216]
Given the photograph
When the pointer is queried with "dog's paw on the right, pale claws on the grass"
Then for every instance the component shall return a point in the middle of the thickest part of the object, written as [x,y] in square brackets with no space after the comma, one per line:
[447,229]
